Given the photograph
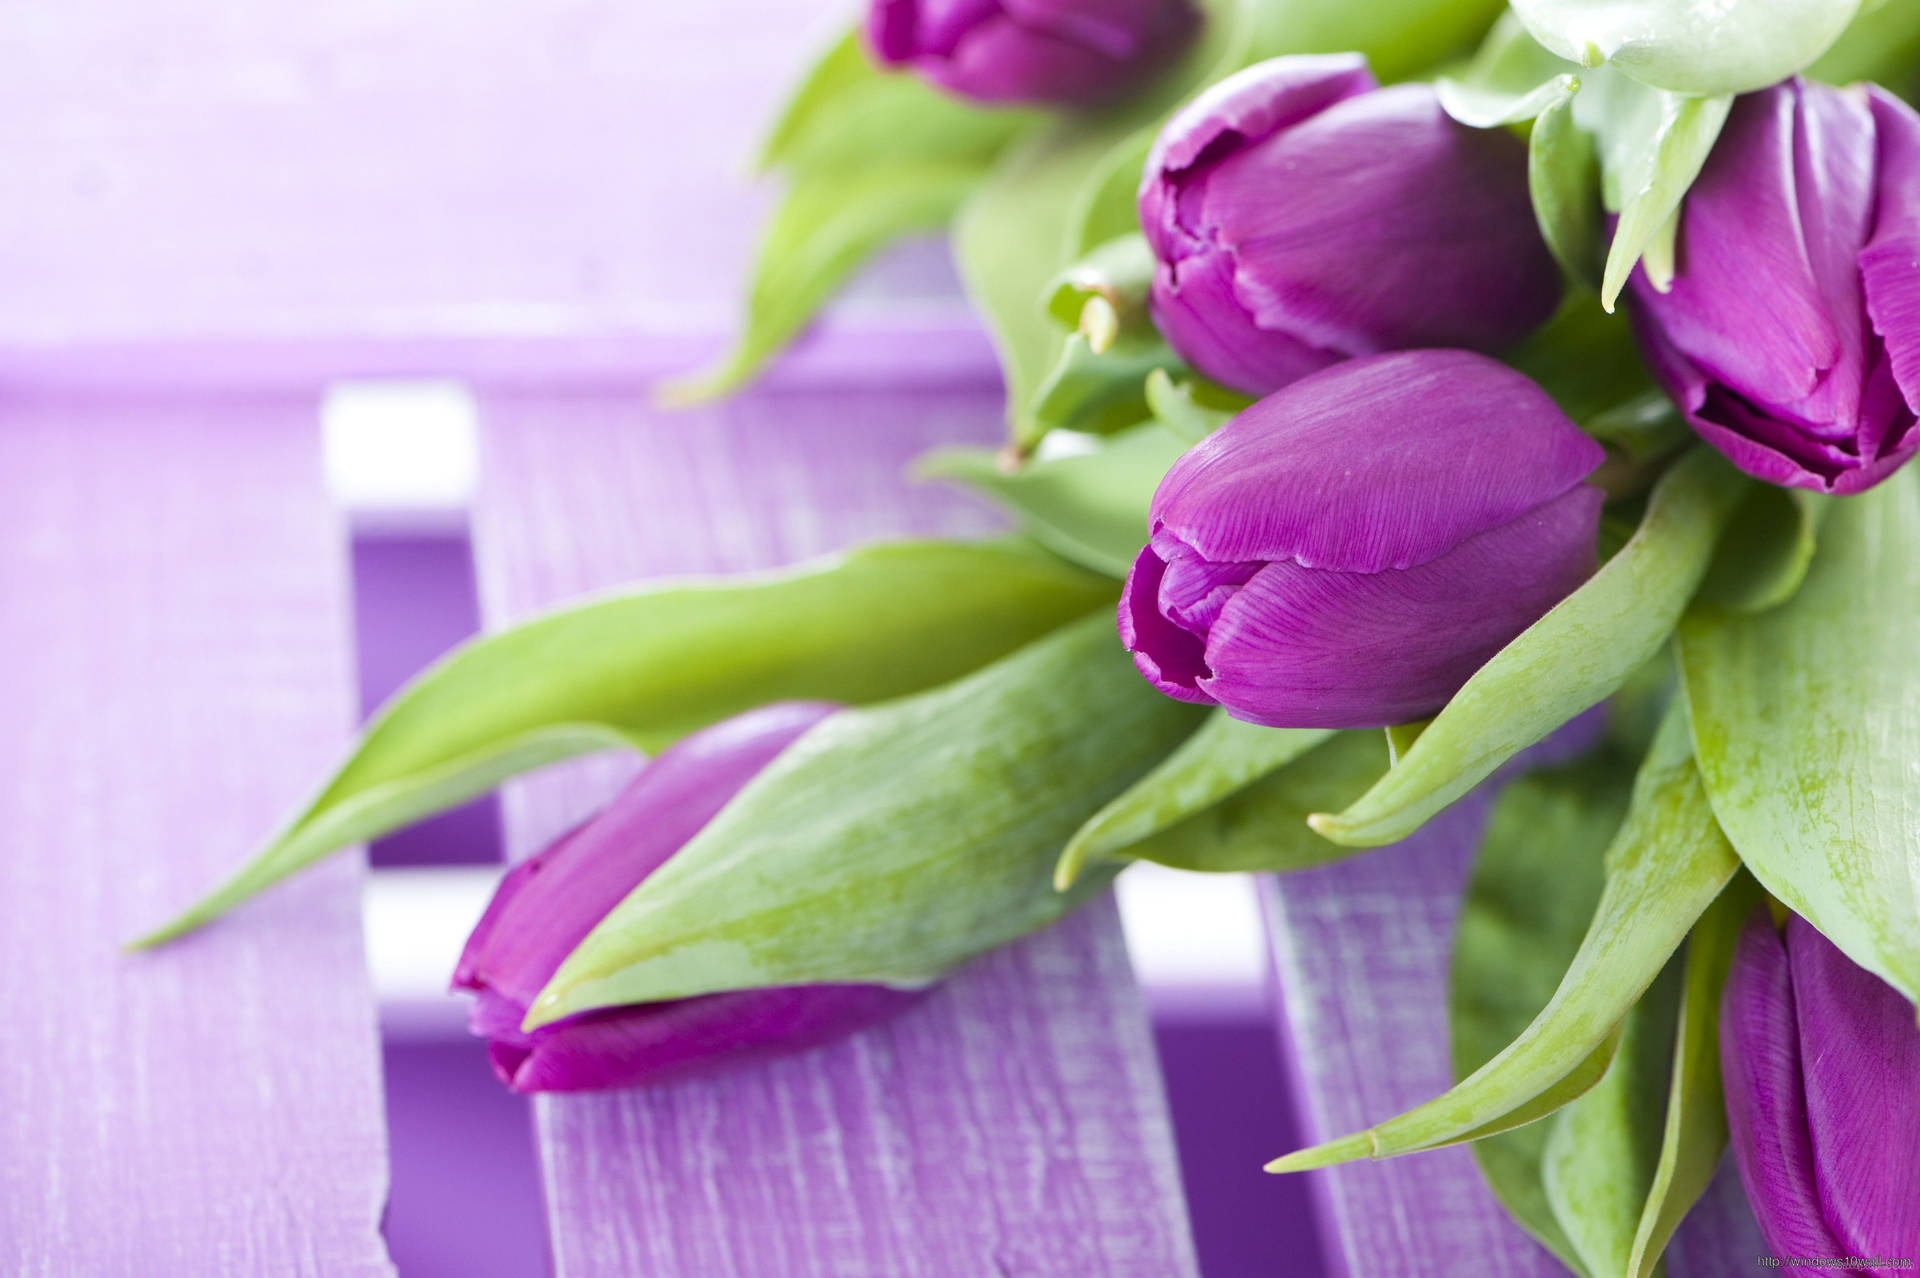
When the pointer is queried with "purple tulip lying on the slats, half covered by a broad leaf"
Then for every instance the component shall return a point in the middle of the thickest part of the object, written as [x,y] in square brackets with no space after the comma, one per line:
[550,903]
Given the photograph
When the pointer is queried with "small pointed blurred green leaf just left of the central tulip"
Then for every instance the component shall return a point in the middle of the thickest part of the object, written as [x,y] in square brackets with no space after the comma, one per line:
[1088,508]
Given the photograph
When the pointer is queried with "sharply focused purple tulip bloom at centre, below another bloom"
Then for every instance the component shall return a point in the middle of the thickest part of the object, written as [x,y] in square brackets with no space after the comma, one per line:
[1351,550]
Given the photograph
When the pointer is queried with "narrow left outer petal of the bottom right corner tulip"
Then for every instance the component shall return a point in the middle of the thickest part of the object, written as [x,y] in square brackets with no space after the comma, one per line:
[1765,1104]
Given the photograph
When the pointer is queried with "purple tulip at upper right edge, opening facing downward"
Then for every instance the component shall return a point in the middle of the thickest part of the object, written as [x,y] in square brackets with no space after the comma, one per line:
[1792,331]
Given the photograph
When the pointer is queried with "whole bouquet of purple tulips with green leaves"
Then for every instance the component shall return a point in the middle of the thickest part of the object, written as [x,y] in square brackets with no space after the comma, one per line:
[1322,421]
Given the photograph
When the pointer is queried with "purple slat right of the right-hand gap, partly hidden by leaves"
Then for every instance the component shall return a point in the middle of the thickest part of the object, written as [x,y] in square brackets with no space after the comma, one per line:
[1362,953]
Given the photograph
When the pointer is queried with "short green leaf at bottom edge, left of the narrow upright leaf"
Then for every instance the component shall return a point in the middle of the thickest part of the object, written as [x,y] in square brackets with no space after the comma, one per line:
[1604,1148]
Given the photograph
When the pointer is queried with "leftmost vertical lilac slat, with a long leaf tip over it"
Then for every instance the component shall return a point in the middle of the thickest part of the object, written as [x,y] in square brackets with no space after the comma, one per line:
[176,674]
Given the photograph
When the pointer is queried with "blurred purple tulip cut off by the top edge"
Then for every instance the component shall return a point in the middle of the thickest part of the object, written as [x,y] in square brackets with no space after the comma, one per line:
[1063,53]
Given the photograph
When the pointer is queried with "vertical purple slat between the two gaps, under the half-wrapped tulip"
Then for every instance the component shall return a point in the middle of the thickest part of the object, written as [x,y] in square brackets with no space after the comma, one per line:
[1015,1122]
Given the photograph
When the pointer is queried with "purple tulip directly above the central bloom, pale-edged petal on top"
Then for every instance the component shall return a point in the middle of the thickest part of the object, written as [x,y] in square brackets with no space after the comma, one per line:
[1305,216]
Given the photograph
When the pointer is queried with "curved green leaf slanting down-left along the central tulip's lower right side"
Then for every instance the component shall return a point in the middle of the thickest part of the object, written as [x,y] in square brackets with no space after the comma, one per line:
[1568,661]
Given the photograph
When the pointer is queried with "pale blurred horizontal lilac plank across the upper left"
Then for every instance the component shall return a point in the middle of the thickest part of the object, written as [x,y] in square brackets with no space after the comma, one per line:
[523,168]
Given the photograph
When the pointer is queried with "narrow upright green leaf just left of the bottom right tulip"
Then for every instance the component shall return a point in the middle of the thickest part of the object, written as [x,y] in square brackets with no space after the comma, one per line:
[1694,1131]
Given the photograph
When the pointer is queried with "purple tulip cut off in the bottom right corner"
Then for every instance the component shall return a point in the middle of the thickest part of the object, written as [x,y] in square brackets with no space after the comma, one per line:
[1821,1062]
